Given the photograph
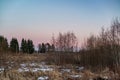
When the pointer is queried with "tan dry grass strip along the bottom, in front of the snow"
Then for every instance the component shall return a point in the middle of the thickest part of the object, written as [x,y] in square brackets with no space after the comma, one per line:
[53,75]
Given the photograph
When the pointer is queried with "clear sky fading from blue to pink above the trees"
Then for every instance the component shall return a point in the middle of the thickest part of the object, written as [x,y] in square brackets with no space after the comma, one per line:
[38,20]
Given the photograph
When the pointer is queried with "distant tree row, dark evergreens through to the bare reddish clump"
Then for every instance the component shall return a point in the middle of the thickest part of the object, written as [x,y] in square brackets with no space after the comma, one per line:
[65,42]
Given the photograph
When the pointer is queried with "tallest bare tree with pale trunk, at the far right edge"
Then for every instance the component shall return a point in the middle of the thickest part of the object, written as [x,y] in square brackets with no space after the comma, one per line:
[114,37]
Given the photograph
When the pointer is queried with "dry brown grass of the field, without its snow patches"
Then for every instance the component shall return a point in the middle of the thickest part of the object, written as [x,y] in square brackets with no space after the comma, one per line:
[52,60]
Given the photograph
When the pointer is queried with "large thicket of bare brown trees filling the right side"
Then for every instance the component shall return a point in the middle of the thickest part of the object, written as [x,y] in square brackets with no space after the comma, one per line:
[103,49]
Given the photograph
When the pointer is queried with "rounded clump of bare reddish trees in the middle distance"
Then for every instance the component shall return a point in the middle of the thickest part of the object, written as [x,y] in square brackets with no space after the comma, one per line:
[66,42]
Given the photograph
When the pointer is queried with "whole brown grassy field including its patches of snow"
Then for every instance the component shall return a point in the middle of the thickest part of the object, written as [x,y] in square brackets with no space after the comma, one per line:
[49,66]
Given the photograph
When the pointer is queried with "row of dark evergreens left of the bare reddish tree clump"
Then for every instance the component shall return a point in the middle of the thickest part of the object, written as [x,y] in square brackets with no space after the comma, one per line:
[27,46]
